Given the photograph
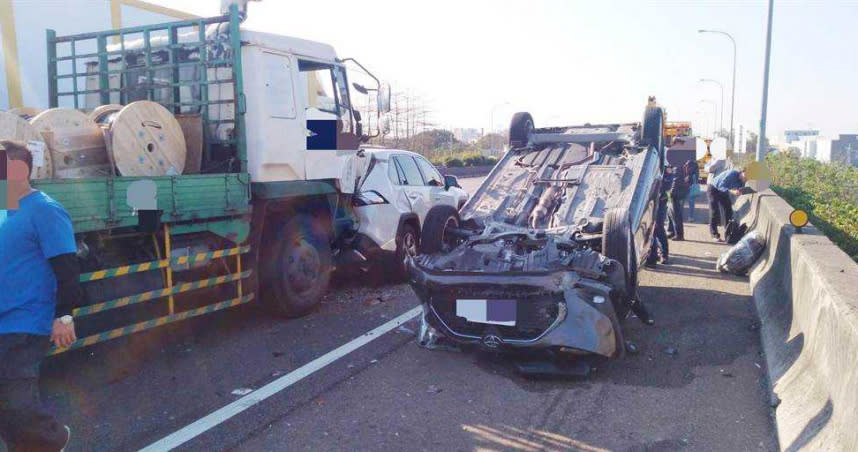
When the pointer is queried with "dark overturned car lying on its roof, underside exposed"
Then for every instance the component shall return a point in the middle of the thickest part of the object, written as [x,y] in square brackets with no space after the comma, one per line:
[545,255]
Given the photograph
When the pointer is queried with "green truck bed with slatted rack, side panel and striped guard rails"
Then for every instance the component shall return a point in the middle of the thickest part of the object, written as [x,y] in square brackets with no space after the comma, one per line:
[173,64]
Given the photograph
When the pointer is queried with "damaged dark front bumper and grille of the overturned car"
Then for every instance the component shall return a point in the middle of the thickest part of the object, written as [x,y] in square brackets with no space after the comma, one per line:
[552,310]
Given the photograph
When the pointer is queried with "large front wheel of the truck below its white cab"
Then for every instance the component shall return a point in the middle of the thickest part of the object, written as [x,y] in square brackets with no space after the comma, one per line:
[297,267]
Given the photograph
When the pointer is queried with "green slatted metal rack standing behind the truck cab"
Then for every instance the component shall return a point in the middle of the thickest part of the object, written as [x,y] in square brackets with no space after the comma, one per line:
[176,58]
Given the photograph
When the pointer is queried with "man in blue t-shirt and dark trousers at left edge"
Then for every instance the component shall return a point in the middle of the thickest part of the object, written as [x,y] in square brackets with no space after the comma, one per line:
[39,276]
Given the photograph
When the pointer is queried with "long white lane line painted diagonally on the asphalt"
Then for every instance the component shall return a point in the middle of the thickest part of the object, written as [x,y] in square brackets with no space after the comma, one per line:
[215,418]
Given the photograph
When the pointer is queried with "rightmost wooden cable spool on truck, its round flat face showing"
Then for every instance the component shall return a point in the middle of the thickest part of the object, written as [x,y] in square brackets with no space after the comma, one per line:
[147,140]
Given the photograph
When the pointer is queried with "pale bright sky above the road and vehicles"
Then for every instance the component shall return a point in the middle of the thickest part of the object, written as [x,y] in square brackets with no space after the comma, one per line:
[570,62]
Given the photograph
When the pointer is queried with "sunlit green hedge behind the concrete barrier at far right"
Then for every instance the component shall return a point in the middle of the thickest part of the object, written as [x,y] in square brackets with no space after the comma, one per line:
[828,192]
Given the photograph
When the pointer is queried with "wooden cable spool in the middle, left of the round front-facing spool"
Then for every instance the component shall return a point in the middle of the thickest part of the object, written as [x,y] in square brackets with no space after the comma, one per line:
[76,143]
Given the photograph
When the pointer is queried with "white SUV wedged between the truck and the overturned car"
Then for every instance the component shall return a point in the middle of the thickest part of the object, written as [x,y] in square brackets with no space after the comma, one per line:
[399,189]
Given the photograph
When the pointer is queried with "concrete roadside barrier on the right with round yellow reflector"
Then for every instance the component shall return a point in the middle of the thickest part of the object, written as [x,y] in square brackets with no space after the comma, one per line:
[806,292]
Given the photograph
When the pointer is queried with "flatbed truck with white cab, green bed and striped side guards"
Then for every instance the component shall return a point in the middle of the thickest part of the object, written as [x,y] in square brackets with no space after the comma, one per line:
[269,214]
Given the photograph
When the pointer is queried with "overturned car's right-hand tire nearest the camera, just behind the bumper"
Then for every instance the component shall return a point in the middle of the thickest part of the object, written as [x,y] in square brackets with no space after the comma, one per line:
[618,244]
